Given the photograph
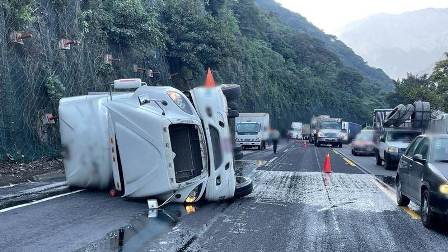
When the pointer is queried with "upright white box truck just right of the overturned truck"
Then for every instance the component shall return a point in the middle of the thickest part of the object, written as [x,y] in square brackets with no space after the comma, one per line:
[252,129]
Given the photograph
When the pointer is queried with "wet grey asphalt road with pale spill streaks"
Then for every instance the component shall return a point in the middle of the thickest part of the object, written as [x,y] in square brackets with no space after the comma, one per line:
[294,207]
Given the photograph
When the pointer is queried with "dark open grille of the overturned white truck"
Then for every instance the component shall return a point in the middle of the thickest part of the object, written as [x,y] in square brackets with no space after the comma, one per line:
[186,144]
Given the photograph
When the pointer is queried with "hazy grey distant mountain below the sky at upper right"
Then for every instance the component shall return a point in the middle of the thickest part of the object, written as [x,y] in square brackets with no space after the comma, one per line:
[399,44]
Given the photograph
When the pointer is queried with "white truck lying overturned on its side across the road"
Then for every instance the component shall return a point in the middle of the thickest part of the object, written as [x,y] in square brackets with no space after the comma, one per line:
[154,142]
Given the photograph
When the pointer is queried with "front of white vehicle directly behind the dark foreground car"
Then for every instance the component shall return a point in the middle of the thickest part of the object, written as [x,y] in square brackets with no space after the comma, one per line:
[391,144]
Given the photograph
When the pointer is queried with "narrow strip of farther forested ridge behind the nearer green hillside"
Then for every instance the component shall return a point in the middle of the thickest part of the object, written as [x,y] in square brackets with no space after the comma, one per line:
[345,54]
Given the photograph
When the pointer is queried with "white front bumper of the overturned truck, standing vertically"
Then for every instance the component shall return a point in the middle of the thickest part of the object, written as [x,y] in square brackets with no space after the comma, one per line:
[211,105]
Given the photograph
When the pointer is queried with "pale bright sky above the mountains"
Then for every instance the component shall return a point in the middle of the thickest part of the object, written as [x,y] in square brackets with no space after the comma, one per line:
[332,15]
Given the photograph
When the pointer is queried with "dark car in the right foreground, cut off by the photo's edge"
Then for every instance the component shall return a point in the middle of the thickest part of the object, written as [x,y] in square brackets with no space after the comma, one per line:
[422,177]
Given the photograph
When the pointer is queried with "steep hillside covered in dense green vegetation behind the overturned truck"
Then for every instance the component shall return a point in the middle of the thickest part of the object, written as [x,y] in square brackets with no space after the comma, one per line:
[291,74]
